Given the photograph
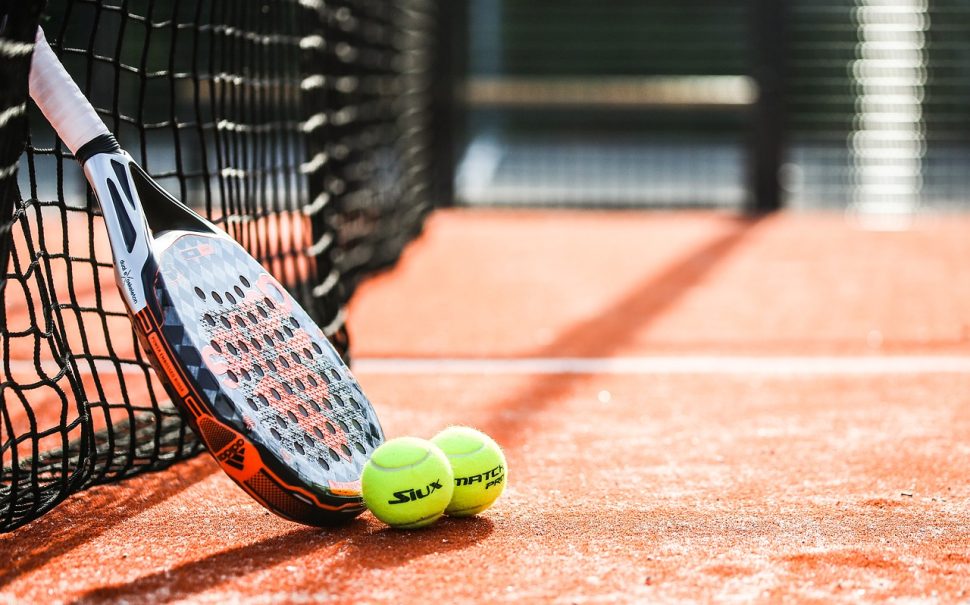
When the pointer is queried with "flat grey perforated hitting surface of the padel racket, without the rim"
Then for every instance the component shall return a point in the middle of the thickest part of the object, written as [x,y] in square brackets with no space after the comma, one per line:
[286,386]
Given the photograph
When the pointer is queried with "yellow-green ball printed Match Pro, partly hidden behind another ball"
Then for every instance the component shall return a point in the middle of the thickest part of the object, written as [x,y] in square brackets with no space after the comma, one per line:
[479,467]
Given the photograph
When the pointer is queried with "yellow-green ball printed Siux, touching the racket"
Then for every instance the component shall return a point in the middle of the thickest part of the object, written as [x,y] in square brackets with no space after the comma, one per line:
[407,483]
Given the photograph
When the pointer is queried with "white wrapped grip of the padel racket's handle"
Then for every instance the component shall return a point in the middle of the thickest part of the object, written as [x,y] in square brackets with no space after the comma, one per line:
[60,100]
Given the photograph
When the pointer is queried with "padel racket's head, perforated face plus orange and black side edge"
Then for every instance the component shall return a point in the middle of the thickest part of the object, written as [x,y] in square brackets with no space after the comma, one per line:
[269,395]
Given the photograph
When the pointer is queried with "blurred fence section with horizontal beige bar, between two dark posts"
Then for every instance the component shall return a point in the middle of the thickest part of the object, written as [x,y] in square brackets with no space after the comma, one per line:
[619,103]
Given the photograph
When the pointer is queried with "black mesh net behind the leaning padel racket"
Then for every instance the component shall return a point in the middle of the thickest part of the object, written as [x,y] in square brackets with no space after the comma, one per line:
[301,127]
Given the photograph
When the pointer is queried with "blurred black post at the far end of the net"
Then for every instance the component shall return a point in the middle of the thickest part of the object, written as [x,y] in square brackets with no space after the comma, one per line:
[447,126]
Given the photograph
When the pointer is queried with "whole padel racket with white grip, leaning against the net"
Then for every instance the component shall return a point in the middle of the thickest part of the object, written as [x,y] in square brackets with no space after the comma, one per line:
[252,373]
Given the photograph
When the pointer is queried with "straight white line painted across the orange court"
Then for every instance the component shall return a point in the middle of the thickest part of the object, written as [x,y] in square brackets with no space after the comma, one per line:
[780,366]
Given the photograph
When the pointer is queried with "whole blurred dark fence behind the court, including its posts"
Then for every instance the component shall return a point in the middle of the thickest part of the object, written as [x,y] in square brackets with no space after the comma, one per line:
[744,104]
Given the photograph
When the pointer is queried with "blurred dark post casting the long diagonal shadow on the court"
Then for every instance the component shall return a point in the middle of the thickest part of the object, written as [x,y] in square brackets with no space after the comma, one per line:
[768,21]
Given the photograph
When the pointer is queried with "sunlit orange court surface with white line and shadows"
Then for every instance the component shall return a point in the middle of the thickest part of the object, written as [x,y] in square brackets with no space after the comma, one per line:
[694,407]
